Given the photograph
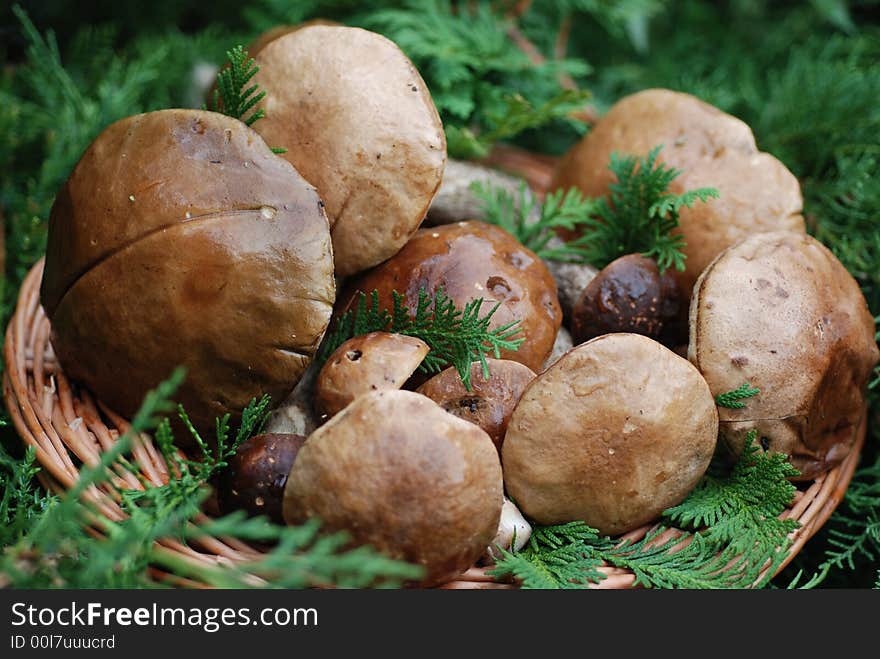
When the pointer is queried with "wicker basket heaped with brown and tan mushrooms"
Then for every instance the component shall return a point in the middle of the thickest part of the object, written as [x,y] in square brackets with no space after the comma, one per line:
[441,388]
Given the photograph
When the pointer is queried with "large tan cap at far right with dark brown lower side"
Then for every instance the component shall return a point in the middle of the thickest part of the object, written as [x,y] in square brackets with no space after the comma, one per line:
[780,312]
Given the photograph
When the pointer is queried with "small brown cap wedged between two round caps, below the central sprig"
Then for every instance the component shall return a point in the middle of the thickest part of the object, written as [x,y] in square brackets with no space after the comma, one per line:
[490,401]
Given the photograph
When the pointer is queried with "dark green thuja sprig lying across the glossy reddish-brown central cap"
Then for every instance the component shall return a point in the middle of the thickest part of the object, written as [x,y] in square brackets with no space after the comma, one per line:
[456,337]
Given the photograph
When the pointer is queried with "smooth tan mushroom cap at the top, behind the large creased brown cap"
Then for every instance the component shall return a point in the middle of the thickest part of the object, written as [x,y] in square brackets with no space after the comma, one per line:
[358,122]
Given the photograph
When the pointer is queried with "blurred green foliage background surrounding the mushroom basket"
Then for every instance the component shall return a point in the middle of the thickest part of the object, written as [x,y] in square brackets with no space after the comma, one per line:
[804,75]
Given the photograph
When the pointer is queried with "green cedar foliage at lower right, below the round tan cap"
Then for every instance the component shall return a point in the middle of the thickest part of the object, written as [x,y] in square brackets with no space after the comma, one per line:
[725,534]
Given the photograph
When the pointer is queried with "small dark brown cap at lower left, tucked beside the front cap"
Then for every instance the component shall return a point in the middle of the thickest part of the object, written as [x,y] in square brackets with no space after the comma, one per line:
[256,475]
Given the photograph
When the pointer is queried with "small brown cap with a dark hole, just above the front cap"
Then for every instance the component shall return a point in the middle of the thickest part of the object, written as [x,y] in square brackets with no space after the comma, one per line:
[370,362]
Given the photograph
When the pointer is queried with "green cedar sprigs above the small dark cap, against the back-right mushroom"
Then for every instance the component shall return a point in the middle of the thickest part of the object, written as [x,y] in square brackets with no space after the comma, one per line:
[639,215]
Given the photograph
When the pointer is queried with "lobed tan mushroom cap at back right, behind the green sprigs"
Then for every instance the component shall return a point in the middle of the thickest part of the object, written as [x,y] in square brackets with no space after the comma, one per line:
[714,149]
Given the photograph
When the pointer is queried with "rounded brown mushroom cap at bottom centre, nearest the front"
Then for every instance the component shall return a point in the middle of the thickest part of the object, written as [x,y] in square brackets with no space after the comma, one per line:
[400,474]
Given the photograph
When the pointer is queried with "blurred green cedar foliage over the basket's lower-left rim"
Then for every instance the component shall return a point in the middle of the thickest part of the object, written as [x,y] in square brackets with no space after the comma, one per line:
[58,551]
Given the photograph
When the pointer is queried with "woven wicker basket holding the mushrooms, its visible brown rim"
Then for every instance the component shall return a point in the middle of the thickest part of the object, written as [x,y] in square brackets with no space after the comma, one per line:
[70,428]
